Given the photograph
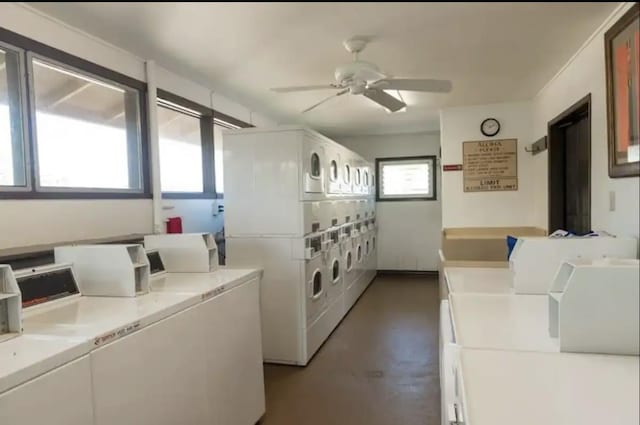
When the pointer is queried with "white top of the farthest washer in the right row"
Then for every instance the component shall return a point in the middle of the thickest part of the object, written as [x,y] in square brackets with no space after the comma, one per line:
[479,280]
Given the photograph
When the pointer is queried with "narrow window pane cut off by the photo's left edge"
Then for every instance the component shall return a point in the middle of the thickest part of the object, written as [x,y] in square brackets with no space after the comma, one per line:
[12,169]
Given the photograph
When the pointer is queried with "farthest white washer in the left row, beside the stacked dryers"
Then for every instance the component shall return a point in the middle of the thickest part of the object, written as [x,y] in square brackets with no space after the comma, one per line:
[233,355]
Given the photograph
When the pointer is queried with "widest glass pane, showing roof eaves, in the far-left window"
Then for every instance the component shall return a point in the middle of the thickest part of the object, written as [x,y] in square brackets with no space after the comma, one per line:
[87,131]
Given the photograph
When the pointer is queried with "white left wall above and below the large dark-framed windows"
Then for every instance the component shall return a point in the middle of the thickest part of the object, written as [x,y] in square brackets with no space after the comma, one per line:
[24,223]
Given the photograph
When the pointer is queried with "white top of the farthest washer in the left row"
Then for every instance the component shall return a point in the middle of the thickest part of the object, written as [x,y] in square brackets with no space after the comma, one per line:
[205,285]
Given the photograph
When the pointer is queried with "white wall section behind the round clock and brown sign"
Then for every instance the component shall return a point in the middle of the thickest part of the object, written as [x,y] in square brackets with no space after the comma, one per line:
[509,208]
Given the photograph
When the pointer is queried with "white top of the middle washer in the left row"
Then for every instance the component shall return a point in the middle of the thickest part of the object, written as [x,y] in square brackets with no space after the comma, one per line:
[103,319]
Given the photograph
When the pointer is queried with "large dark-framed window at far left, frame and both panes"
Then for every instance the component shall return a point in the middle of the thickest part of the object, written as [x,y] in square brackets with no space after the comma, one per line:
[81,135]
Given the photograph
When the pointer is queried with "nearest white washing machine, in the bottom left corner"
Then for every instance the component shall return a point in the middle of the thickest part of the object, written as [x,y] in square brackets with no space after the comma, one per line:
[32,368]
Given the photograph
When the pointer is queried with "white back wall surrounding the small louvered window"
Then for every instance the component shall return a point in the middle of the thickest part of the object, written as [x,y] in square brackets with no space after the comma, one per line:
[409,232]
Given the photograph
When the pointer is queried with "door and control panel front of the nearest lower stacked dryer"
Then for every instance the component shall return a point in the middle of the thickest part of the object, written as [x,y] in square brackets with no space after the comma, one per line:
[316,277]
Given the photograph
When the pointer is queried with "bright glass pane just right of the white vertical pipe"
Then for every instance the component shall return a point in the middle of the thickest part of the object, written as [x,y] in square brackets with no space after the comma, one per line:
[180,151]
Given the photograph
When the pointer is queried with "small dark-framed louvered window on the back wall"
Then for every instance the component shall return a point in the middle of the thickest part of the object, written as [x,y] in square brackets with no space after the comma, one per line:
[410,178]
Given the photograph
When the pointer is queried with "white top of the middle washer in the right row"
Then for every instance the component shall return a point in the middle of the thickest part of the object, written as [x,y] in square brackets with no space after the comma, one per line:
[502,322]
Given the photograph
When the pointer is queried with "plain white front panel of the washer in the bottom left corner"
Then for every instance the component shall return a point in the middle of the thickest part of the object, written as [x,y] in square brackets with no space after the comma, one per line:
[60,397]
